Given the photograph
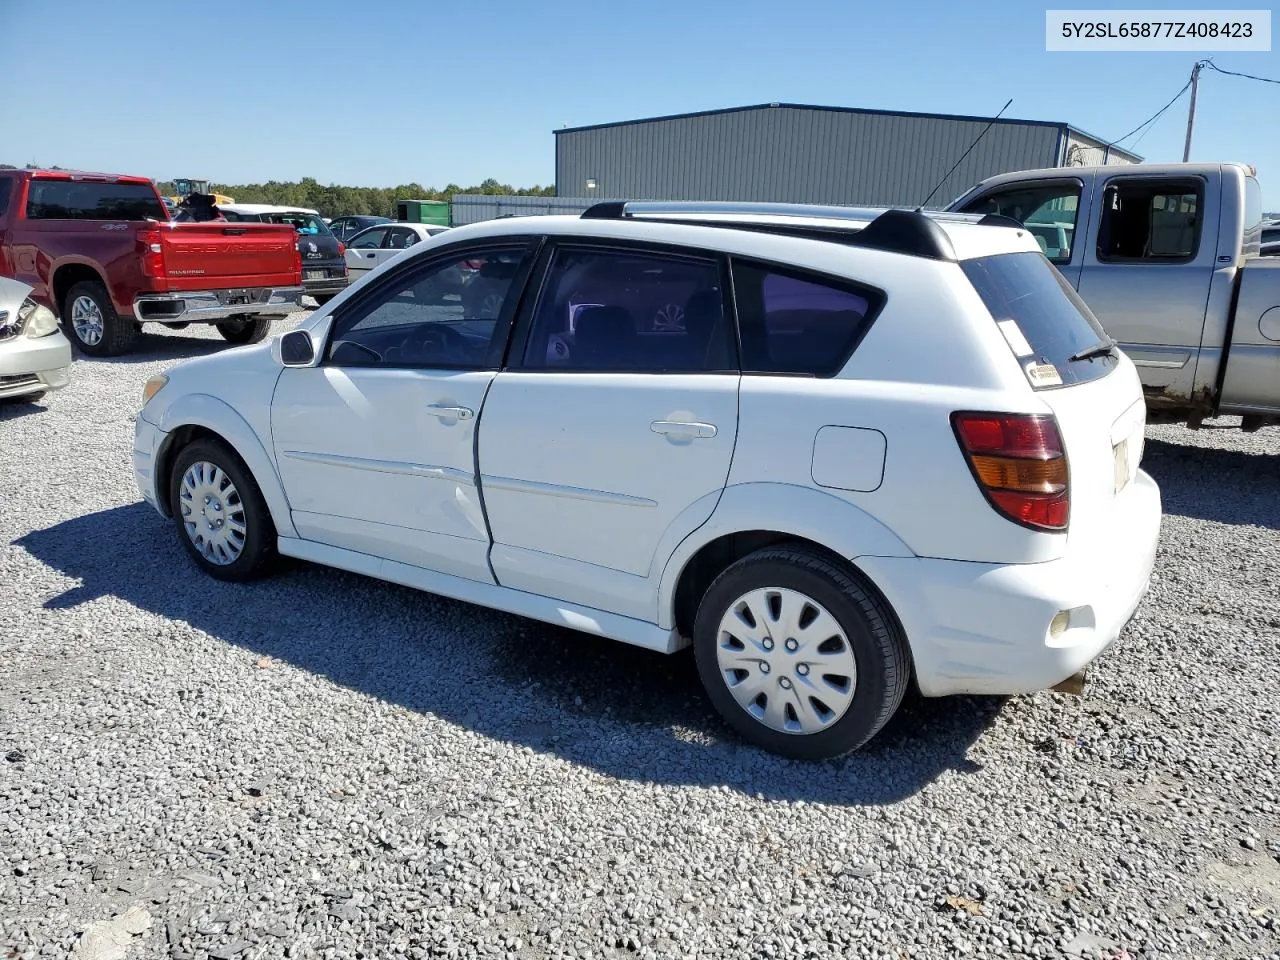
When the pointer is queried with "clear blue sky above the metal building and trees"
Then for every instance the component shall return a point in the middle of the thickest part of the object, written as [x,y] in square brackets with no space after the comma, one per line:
[394,92]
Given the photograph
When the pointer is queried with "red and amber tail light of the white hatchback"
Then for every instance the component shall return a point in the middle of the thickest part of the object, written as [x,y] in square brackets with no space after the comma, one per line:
[1021,465]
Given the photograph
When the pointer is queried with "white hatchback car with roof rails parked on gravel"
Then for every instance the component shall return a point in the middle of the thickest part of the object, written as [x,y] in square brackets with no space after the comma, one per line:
[834,450]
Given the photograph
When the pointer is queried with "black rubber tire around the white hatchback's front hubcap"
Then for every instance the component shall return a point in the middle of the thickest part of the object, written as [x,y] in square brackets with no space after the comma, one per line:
[258,552]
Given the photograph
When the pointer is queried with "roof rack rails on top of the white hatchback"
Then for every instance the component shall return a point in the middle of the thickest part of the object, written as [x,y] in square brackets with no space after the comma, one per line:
[893,230]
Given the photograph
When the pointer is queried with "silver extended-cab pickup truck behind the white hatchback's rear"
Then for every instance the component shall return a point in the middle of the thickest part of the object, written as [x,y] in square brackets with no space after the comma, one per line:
[1168,258]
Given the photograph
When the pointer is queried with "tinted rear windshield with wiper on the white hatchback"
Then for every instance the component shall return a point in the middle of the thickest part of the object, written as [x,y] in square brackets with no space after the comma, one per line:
[1043,318]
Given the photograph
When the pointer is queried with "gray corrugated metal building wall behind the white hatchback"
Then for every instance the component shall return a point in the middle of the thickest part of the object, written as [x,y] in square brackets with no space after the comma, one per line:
[797,156]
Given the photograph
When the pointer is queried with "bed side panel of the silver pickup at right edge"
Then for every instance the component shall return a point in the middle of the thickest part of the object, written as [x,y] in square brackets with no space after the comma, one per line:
[1252,381]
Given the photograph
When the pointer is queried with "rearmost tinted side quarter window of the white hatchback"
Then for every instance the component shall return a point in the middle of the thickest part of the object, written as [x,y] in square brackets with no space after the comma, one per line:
[798,323]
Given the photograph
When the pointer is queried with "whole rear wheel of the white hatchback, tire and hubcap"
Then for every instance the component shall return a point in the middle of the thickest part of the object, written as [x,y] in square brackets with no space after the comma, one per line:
[798,655]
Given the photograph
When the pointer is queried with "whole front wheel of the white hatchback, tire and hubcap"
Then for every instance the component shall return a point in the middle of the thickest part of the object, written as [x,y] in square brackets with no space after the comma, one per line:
[220,511]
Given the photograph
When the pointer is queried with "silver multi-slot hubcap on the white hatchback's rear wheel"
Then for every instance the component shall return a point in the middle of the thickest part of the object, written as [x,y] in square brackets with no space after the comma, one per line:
[801,685]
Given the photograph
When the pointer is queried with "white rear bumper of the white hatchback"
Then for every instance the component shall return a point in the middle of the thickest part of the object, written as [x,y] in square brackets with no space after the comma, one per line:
[985,628]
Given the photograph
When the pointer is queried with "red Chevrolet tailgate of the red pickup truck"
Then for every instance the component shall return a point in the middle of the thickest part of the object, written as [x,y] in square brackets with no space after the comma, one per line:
[220,255]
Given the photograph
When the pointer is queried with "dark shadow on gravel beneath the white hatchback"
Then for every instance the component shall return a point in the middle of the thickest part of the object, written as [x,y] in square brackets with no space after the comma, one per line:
[625,712]
